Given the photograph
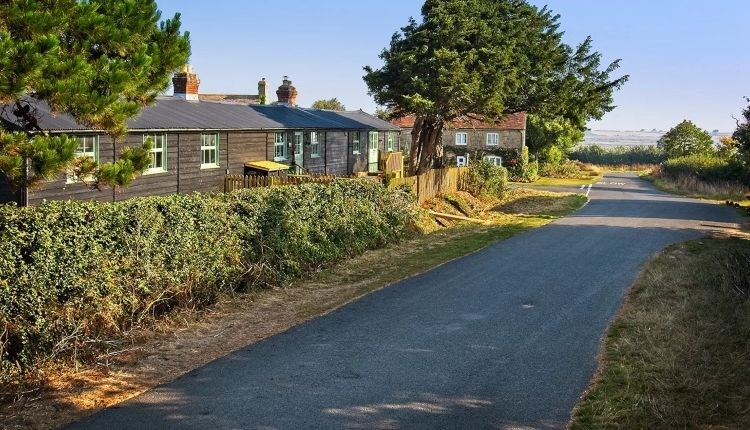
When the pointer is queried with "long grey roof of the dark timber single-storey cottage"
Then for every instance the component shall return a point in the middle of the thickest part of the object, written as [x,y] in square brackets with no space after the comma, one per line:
[169,113]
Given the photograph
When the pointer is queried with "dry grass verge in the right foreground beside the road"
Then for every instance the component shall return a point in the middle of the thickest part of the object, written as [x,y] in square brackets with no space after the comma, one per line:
[678,354]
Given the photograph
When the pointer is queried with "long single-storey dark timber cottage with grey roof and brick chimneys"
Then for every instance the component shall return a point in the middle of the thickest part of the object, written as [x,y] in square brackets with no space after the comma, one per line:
[197,142]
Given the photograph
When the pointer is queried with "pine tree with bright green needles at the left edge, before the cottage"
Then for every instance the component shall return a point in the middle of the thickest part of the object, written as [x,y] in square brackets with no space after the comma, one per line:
[99,60]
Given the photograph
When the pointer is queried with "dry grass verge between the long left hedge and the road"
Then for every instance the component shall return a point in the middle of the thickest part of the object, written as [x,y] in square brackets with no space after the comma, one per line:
[186,340]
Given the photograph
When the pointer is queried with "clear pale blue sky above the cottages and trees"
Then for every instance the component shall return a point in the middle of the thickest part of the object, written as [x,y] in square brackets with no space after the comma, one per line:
[687,58]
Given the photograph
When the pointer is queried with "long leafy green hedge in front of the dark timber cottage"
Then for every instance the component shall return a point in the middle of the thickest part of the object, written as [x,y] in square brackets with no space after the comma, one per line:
[74,274]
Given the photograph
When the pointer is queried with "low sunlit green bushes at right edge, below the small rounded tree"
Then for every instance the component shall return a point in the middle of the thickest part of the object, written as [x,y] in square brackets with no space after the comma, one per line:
[709,168]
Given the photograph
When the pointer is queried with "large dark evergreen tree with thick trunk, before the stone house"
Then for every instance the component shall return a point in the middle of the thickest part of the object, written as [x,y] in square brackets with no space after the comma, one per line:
[488,58]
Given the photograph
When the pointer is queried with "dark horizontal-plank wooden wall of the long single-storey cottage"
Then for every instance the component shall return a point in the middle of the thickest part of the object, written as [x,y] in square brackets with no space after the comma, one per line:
[184,173]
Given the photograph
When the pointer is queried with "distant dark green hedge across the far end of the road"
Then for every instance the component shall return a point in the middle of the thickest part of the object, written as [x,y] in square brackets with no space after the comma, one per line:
[618,155]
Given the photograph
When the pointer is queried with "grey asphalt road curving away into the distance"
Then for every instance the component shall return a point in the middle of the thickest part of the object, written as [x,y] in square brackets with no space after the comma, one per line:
[504,338]
